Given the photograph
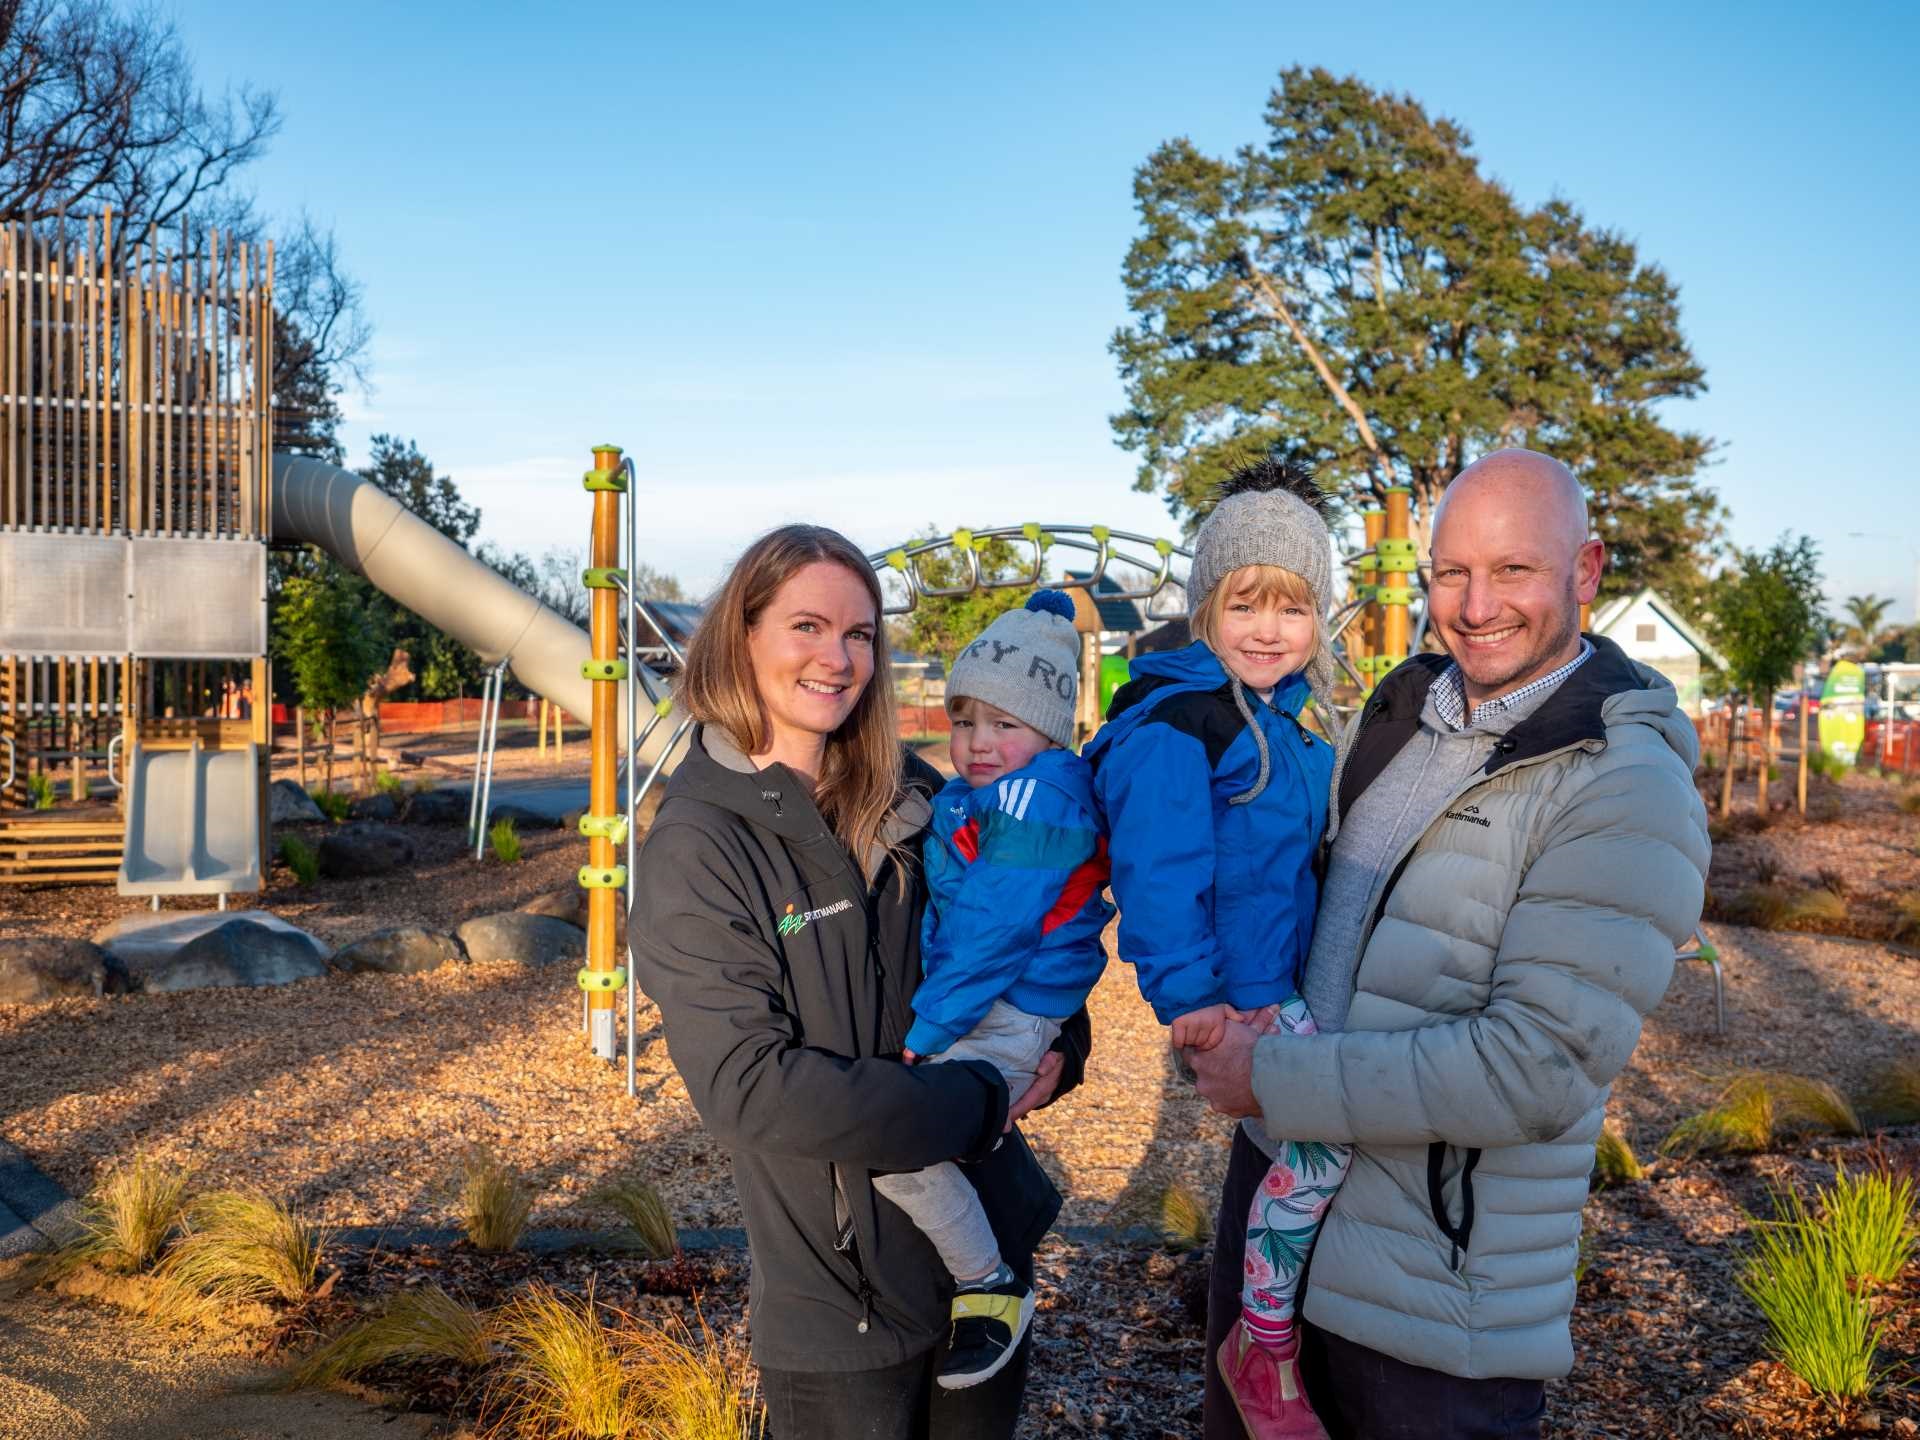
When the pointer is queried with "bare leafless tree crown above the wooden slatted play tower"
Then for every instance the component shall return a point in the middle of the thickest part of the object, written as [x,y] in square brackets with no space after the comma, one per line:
[99,107]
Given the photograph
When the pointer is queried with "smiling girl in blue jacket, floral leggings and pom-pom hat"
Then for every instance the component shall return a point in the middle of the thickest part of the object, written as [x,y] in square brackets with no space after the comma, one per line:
[1216,800]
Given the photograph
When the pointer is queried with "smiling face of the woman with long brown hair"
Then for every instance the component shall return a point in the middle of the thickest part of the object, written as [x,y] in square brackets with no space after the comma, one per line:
[813,654]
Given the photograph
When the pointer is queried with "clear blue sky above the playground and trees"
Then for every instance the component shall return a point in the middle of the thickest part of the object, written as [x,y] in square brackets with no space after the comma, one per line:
[859,264]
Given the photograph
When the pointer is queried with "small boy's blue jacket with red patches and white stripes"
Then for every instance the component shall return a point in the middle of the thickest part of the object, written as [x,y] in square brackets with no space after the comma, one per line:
[1015,871]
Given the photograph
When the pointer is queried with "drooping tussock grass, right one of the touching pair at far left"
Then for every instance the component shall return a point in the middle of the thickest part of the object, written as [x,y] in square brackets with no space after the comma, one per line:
[243,1245]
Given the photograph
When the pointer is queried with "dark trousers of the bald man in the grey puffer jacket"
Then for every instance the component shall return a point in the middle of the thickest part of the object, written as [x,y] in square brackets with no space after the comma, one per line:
[1360,1393]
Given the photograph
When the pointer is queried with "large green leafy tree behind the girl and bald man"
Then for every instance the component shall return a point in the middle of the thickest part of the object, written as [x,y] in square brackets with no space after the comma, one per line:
[1356,293]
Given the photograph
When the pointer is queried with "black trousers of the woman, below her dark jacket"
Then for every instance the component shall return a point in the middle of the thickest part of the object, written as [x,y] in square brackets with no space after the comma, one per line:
[900,1403]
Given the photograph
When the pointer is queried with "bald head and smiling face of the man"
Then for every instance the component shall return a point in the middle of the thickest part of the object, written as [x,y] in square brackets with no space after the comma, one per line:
[1512,567]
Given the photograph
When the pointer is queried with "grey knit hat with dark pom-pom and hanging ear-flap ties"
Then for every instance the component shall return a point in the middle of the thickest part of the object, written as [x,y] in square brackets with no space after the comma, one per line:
[1268,514]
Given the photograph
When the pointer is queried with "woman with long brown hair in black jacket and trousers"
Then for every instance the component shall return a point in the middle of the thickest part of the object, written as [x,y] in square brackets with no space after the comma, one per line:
[777,924]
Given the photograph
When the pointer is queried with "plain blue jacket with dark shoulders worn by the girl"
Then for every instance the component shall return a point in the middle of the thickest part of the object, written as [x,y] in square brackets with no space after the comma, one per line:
[1216,901]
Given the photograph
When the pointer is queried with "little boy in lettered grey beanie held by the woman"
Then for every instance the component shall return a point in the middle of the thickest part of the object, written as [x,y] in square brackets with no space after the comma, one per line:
[1013,932]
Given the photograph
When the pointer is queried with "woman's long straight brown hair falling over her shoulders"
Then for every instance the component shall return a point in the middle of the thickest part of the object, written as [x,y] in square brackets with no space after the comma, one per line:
[861,777]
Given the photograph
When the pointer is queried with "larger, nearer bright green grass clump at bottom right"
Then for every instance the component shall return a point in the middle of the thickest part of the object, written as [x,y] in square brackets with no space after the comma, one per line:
[1821,1330]
